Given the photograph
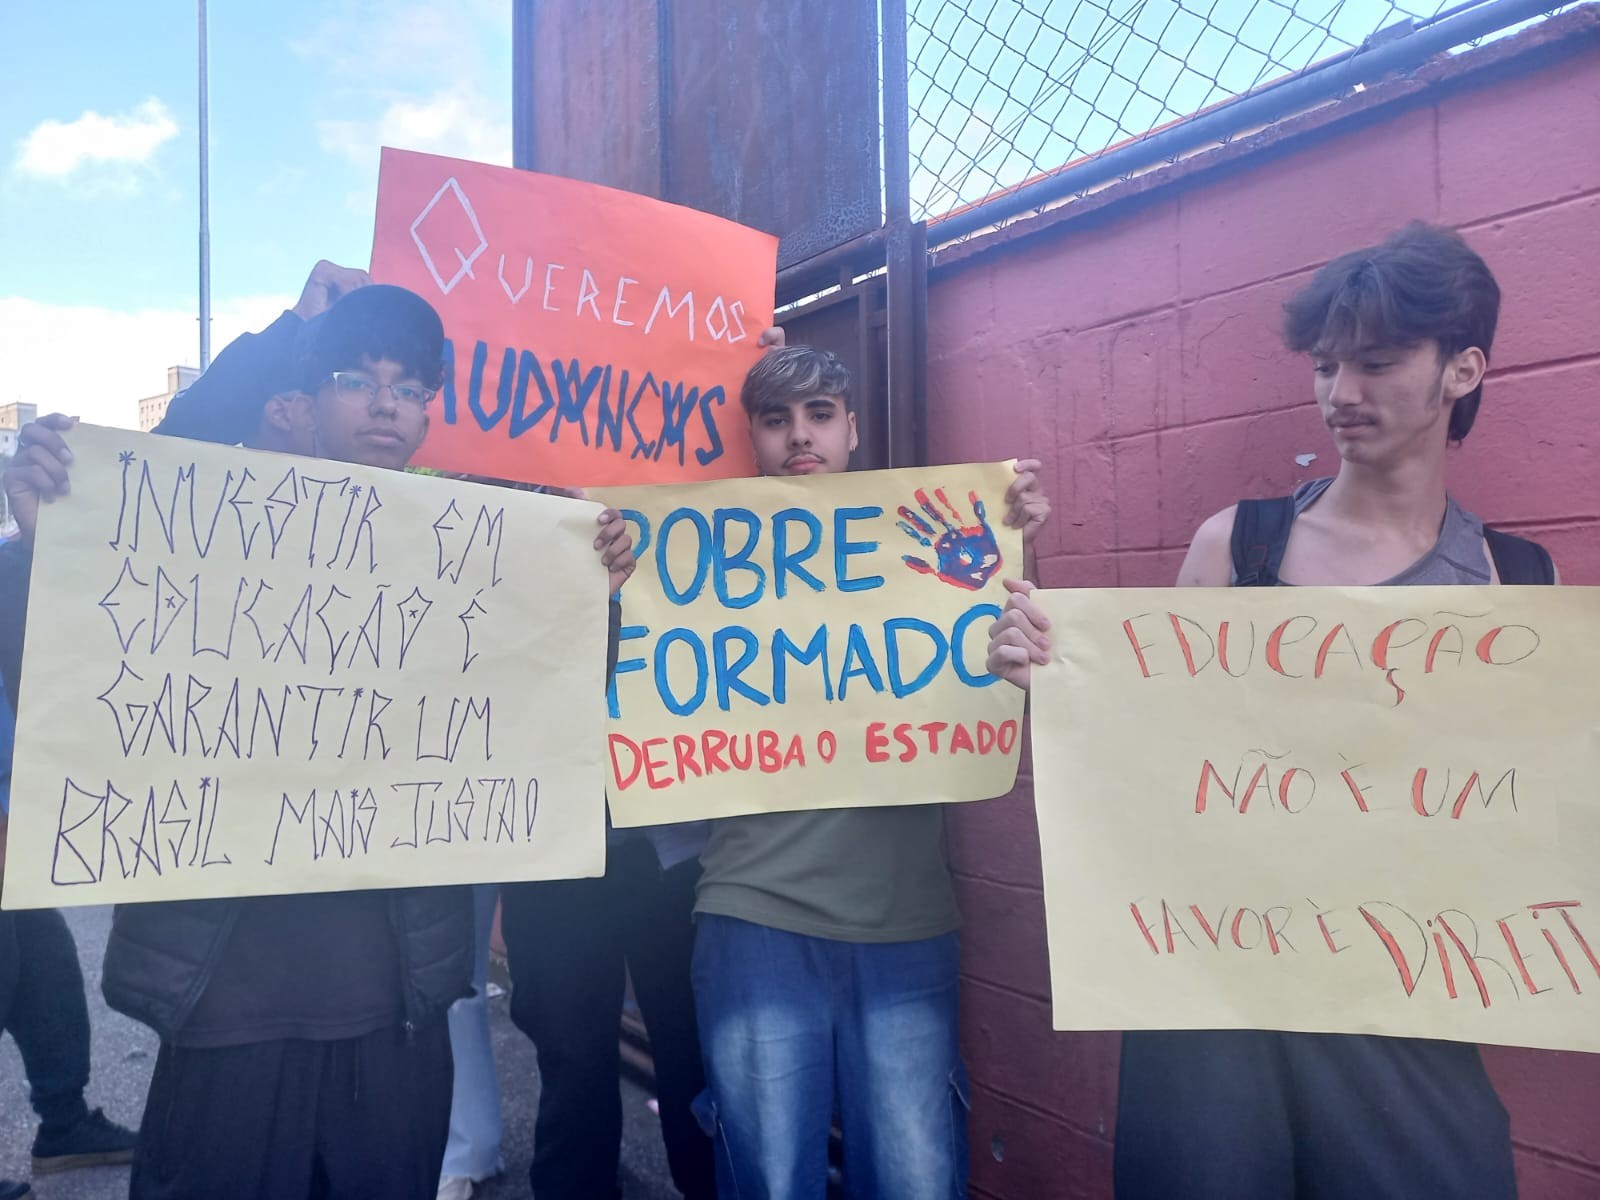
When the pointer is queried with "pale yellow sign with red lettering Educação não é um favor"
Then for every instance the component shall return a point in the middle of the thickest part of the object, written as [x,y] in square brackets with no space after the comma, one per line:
[1327,810]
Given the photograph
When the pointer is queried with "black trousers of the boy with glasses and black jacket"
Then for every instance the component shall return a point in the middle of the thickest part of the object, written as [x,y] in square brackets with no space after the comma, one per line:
[359,1119]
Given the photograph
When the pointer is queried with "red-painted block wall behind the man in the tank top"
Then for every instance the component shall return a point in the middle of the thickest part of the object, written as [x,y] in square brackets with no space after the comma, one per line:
[1134,346]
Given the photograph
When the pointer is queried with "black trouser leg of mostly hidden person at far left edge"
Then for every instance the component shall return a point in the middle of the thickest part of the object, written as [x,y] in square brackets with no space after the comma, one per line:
[49,1014]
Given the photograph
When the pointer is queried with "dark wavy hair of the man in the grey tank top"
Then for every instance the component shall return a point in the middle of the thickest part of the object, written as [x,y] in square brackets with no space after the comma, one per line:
[1422,284]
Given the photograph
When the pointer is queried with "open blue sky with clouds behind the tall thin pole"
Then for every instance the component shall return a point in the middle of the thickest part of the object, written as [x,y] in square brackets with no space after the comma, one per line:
[98,169]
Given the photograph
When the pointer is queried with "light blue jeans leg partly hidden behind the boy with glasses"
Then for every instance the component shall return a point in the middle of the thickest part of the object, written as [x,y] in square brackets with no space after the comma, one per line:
[473,1151]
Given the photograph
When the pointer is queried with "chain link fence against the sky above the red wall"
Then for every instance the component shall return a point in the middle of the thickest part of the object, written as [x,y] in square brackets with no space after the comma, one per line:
[1004,92]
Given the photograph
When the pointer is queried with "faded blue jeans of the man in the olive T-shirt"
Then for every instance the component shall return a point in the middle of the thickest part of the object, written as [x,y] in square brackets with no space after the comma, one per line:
[793,1026]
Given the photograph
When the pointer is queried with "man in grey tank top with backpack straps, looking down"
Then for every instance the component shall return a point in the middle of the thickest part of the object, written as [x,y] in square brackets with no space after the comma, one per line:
[1399,338]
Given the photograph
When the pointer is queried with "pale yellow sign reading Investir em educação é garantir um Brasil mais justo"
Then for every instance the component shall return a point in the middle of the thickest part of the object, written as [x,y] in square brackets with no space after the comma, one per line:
[254,674]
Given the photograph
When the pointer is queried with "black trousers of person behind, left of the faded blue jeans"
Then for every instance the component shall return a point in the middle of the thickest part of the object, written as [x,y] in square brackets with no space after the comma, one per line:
[567,943]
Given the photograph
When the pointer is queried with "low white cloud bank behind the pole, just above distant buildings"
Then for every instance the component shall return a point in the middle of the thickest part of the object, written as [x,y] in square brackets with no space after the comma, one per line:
[98,364]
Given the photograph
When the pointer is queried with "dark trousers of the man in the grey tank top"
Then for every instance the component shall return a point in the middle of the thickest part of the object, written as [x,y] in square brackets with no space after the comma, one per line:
[1262,1116]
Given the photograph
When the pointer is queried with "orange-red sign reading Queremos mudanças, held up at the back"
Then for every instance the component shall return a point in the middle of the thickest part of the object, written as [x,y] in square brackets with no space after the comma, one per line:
[596,337]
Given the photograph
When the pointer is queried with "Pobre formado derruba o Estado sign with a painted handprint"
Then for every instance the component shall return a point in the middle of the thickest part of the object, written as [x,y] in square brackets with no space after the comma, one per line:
[814,644]
